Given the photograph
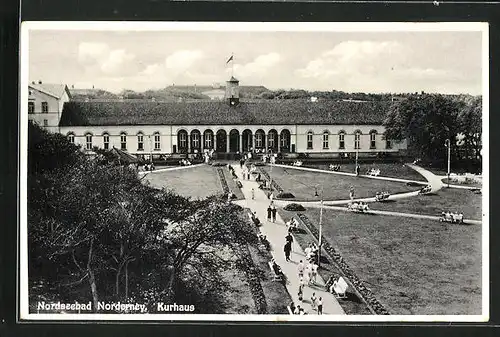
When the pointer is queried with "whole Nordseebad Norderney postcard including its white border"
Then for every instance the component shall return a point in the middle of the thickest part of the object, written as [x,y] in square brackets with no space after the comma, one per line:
[251,171]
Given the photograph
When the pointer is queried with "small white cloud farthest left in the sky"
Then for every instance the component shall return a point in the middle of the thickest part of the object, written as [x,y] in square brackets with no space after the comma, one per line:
[97,56]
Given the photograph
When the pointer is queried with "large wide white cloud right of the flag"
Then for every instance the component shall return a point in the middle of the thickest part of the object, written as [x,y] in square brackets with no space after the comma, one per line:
[365,65]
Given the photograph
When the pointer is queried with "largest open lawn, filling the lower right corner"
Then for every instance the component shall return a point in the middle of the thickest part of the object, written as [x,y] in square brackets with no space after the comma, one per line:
[413,266]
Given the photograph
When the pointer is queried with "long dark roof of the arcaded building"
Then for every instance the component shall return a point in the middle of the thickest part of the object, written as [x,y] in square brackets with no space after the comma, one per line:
[287,112]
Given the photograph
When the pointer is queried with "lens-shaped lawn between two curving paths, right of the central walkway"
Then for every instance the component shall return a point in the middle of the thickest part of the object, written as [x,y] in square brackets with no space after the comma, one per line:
[302,184]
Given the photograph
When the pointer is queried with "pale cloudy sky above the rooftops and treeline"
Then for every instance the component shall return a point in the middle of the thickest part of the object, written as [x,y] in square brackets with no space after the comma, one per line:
[372,62]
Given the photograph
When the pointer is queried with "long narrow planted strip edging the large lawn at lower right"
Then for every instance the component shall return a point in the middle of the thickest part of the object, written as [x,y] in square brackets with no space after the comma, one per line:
[374,305]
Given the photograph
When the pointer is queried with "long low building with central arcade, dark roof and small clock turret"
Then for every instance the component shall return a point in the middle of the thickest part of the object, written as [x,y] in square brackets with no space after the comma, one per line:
[229,126]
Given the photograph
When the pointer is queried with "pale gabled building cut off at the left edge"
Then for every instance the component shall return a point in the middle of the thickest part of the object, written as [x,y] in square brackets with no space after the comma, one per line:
[45,104]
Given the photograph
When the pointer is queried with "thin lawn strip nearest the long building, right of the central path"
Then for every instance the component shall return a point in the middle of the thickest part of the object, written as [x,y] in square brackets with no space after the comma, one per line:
[393,170]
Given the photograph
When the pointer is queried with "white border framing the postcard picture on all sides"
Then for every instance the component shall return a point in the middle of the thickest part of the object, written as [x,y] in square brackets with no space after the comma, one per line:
[26,27]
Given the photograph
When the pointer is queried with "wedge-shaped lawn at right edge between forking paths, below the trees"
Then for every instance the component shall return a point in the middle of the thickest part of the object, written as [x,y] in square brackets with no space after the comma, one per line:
[452,199]
